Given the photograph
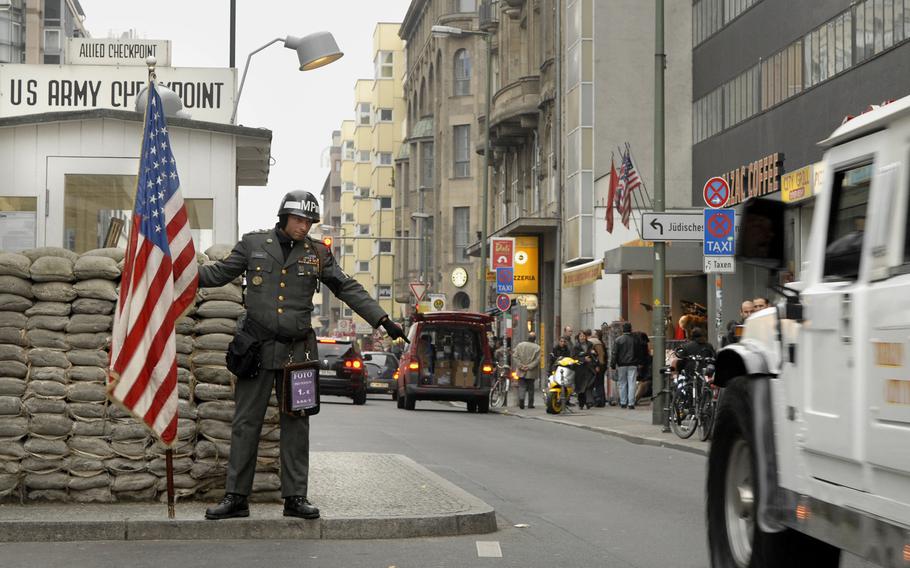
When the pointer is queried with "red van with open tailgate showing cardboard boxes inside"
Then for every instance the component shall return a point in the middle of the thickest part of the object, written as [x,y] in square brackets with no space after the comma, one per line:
[449,358]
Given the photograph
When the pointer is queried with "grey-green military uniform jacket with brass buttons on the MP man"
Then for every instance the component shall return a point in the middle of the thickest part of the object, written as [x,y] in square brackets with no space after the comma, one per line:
[279,293]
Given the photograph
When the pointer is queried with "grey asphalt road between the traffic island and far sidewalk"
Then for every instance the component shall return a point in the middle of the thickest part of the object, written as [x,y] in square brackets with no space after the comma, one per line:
[587,500]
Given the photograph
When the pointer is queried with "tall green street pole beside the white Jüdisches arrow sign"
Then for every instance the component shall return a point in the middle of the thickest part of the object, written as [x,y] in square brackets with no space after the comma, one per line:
[658,412]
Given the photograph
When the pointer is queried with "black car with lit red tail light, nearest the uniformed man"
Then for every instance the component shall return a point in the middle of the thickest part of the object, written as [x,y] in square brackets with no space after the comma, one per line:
[341,369]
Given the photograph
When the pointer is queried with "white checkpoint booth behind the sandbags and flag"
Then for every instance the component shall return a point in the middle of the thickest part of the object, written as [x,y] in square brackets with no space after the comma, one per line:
[69,178]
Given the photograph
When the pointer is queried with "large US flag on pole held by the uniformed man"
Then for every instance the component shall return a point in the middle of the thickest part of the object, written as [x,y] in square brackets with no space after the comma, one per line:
[159,282]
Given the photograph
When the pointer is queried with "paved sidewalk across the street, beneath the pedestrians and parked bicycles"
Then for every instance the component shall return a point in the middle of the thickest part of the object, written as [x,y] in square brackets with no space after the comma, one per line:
[632,425]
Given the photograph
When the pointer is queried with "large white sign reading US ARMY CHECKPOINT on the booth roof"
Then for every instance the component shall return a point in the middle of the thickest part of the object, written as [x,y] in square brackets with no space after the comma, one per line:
[207,93]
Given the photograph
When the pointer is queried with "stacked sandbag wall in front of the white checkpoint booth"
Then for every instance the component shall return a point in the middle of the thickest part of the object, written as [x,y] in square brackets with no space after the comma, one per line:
[60,438]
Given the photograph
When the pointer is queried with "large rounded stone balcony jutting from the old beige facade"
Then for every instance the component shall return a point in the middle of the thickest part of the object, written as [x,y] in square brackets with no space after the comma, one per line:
[515,111]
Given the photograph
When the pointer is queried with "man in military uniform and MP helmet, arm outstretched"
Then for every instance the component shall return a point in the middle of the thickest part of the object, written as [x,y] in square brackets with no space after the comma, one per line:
[283,267]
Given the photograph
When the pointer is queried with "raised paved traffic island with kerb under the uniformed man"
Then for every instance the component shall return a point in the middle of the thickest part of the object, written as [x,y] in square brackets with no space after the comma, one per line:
[360,496]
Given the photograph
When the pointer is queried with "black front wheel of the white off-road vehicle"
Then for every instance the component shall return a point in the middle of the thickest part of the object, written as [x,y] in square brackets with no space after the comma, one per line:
[735,539]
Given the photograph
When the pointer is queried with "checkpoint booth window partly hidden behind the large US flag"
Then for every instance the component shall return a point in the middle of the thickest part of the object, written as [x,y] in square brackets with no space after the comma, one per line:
[98,211]
